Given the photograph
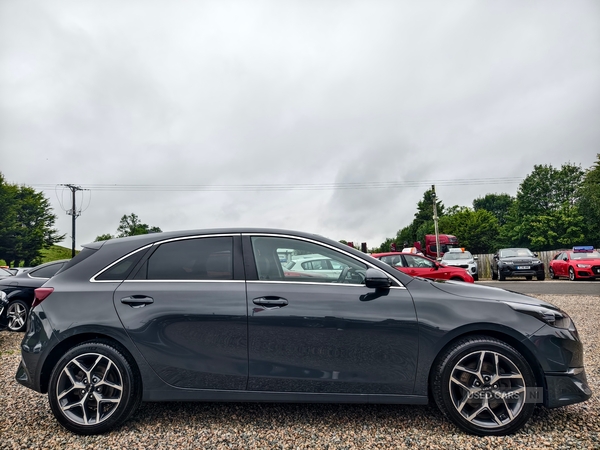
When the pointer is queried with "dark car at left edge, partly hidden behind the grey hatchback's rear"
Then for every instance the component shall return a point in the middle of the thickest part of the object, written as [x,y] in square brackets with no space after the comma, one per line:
[19,290]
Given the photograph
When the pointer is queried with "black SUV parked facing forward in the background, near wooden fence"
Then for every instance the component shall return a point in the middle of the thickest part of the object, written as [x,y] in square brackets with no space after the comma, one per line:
[517,262]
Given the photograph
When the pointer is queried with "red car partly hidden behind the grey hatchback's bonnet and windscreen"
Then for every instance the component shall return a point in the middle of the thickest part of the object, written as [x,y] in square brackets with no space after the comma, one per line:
[419,266]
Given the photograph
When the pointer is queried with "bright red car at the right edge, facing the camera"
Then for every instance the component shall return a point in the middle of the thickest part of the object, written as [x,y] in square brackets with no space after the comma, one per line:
[581,263]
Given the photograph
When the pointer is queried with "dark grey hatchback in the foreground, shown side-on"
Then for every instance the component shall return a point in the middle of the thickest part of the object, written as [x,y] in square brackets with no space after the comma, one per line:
[213,315]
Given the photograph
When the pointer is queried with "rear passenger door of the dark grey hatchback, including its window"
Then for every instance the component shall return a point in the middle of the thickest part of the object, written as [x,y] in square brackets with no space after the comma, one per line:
[185,310]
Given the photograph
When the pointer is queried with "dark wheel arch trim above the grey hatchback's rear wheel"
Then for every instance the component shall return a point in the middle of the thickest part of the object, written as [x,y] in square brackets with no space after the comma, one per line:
[64,346]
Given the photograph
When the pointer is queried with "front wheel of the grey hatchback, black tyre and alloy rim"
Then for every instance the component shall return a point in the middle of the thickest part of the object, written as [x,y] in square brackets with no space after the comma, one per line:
[480,384]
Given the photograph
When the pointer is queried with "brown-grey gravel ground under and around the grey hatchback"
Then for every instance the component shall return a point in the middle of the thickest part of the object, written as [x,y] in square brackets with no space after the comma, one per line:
[27,422]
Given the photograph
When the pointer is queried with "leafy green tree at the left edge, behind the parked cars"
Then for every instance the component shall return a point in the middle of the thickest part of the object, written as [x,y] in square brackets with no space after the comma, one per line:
[26,224]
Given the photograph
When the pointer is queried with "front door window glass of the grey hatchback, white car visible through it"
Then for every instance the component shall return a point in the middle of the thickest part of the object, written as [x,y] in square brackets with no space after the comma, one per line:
[330,266]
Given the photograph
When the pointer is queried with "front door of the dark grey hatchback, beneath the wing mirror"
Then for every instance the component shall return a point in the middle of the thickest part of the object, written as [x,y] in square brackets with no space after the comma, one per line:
[328,336]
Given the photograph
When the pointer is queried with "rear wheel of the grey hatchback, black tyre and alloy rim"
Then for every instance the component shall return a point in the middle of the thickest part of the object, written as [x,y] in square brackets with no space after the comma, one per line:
[94,388]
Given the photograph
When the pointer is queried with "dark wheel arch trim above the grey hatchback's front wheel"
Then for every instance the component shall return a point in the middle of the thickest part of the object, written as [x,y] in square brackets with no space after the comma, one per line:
[507,338]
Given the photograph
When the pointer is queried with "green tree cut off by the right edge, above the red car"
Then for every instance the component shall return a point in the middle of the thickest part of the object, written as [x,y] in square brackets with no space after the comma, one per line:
[589,203]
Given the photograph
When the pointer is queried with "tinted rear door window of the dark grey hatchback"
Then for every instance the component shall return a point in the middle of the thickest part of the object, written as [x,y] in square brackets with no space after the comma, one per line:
[190,259]
